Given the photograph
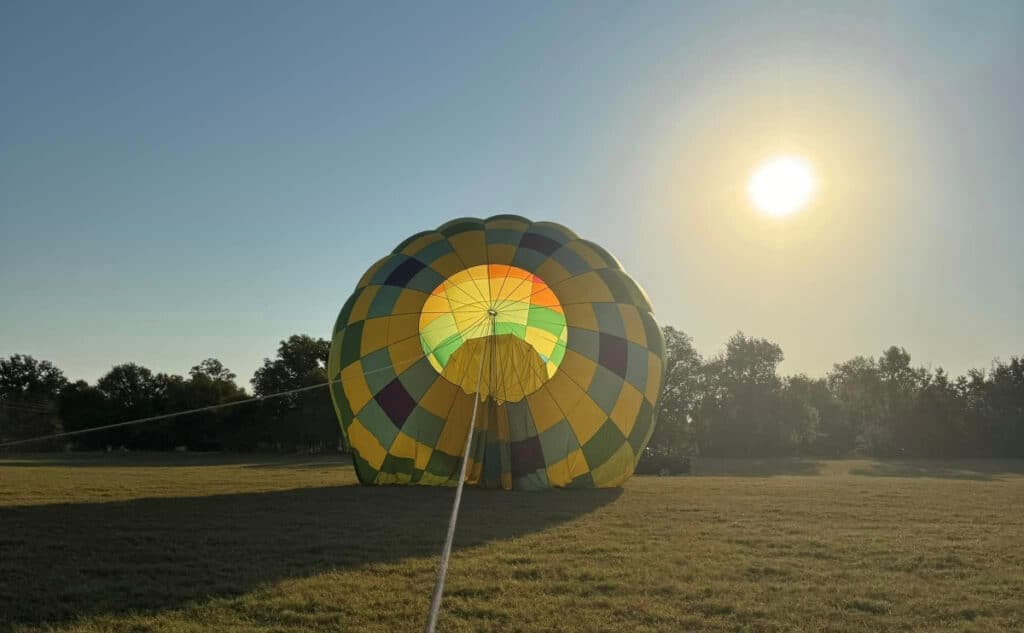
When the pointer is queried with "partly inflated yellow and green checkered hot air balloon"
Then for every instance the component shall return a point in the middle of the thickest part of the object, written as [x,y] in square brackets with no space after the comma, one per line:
[546,329]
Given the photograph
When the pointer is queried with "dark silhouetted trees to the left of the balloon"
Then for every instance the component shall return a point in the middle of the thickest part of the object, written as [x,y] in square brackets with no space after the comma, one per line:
[37,400]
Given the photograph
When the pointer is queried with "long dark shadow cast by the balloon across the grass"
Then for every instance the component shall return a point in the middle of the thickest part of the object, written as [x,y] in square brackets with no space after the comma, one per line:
[65,562]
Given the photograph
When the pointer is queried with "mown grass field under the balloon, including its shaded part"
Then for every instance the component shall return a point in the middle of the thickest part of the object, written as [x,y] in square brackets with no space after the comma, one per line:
[210,543]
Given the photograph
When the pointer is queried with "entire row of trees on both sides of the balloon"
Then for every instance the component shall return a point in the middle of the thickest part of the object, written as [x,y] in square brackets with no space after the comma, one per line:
[734,404]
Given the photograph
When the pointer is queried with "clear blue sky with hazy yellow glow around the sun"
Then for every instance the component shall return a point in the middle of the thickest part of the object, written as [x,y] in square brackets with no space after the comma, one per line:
[188,180]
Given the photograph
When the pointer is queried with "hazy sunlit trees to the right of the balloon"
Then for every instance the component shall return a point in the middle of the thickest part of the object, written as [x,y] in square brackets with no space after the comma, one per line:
[736,404]
